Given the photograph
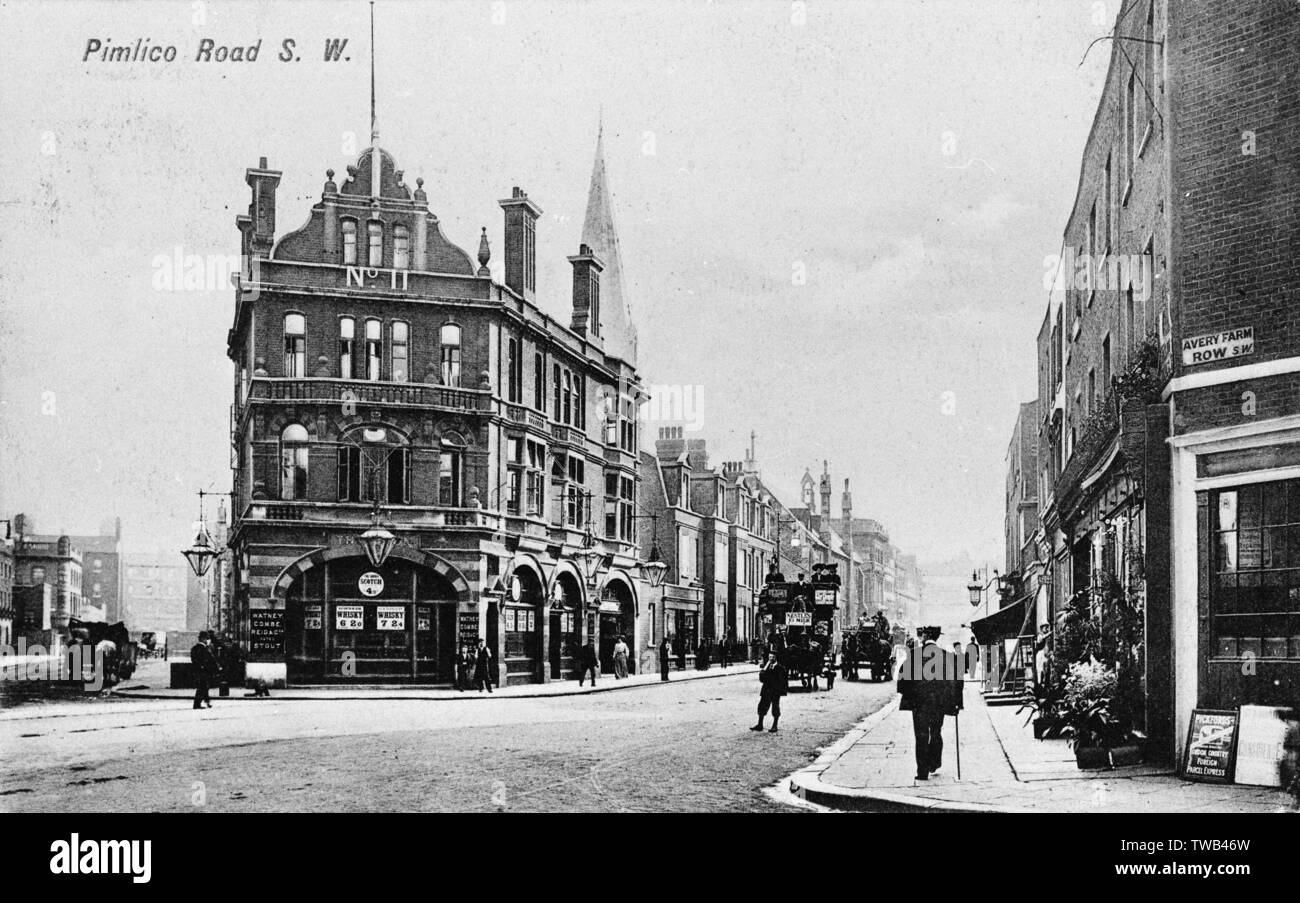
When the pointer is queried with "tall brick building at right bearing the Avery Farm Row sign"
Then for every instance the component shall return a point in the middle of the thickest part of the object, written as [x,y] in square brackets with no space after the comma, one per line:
[1168,370]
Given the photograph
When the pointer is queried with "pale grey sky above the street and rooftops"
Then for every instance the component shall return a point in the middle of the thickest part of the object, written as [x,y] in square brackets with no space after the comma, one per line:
[835,219]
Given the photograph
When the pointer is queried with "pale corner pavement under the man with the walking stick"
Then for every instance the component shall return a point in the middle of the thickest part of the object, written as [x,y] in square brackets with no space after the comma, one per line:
[1004,770]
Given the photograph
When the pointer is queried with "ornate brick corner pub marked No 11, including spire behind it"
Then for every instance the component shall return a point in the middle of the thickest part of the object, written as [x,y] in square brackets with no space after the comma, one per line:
[385,380]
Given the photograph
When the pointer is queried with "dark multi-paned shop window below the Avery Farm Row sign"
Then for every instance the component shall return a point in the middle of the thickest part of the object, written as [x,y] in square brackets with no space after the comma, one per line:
[1255,591]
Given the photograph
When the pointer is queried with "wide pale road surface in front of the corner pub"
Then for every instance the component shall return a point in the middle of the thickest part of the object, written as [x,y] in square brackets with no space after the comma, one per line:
[682,748]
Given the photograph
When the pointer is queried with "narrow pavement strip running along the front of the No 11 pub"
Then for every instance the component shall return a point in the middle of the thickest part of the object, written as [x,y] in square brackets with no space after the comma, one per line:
[138,689]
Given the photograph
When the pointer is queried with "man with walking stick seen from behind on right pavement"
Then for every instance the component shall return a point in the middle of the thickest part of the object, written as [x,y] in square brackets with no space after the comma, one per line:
[931,688]
